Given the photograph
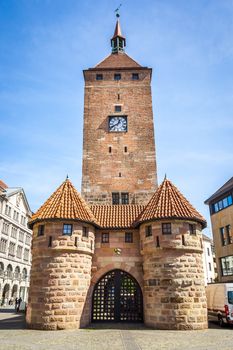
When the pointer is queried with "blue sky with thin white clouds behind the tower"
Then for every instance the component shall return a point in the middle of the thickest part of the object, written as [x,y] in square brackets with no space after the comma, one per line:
[45,45]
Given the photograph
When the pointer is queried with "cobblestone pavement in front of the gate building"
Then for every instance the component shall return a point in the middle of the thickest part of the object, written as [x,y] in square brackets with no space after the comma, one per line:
[14,336]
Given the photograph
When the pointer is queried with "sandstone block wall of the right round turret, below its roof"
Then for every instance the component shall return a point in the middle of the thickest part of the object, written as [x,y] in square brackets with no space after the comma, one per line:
[174,292]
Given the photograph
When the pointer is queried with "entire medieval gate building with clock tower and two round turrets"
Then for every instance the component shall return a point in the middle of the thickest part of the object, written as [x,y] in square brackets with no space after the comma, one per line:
[125,250]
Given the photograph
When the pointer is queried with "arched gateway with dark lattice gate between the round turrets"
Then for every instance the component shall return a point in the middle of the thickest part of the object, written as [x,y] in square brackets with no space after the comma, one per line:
[117,297]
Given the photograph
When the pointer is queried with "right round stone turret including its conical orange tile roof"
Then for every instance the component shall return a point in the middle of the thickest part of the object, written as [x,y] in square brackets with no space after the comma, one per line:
[171,245]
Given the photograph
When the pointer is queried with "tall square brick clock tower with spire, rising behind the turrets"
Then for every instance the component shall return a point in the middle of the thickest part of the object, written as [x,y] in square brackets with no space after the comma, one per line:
[119,165]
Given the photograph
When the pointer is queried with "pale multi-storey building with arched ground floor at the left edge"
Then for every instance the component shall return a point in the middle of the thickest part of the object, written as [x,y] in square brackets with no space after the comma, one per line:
[15,244]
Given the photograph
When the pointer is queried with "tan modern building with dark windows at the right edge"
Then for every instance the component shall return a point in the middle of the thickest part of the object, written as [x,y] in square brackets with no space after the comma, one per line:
[221,213]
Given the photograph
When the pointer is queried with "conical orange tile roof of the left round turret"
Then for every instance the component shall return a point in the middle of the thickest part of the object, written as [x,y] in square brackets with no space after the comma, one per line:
[65,203]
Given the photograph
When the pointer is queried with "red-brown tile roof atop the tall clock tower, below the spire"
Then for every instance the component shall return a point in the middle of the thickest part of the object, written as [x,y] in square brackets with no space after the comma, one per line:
[118,60]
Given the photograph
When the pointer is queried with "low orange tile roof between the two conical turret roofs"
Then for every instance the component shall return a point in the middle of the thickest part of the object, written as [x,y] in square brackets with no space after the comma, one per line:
[117,216]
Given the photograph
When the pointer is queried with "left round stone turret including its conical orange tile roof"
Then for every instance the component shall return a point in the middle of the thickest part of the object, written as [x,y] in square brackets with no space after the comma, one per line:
[63,245]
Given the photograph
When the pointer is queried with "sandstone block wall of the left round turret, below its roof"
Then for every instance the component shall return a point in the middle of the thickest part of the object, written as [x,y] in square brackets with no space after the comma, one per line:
[60,278]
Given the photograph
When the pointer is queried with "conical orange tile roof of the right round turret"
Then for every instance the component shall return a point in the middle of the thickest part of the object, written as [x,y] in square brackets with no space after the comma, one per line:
[168,203]
